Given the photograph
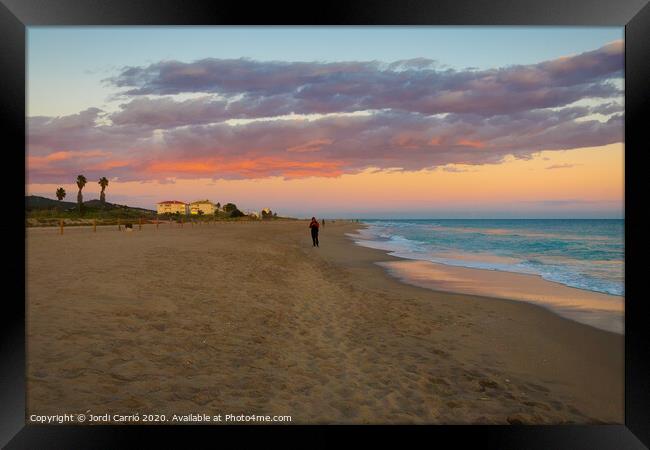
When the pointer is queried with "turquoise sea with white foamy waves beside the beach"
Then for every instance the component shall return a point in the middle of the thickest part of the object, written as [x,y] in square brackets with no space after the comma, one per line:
[581,253]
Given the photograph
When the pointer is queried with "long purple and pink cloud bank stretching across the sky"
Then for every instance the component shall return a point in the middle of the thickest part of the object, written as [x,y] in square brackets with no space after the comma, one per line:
[416,117]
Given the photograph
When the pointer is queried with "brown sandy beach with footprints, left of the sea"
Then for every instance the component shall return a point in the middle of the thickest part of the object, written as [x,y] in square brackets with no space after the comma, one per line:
[249,318]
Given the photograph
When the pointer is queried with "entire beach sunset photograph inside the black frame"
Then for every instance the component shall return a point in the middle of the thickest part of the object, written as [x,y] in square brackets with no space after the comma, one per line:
[325,225]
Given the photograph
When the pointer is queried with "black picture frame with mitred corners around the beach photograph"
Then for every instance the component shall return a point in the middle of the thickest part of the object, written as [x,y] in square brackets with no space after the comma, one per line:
[16,15]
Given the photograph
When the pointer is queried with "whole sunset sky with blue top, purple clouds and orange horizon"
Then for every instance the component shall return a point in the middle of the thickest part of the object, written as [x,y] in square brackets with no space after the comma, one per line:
[333,121]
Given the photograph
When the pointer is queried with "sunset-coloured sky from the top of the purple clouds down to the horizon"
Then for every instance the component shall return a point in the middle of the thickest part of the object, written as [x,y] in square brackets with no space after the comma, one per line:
[364,137]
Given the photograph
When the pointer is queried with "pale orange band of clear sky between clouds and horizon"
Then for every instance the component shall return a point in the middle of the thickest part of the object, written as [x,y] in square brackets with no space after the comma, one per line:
[593,176]
